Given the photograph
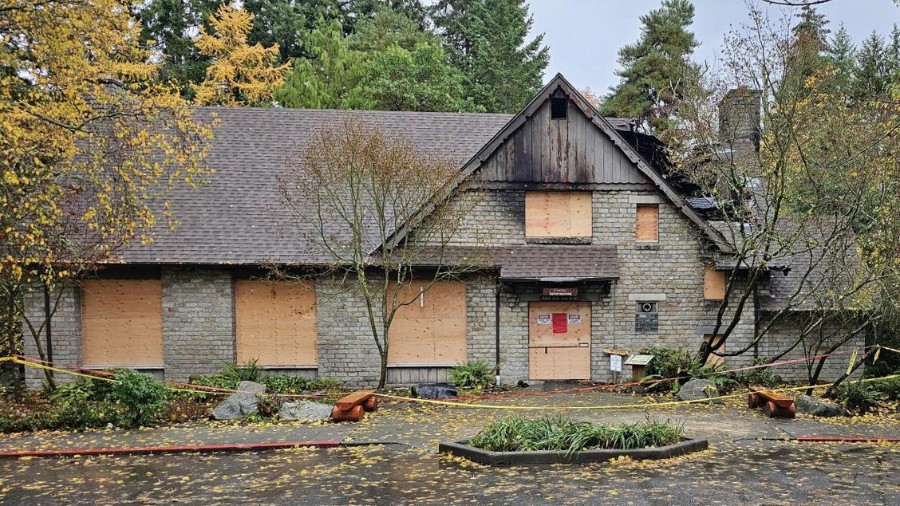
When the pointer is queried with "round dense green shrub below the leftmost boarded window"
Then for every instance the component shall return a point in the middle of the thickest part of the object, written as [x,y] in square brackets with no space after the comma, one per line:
[143,397]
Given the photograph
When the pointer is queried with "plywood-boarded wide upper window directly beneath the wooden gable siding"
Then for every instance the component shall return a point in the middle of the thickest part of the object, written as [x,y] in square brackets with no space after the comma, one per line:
[558,214]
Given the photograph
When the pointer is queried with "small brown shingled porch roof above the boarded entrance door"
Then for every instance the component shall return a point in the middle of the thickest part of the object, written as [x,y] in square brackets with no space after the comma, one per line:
[558,263]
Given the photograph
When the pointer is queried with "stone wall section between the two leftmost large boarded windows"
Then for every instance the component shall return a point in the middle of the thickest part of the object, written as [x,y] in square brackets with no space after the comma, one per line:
[198,321]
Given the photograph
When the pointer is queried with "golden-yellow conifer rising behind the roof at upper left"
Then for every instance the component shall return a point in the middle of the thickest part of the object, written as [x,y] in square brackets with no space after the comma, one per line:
[240,74]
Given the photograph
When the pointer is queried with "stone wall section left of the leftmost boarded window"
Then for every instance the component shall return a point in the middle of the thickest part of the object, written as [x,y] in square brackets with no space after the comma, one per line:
[65,328]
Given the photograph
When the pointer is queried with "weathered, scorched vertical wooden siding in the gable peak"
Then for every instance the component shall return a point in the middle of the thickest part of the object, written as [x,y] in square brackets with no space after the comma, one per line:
[570,150]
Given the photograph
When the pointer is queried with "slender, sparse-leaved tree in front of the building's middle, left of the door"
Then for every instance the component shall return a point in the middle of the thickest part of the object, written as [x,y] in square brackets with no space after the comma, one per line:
[381,213]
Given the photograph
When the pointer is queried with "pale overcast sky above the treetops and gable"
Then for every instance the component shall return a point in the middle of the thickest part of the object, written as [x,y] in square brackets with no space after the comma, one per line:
[585,35]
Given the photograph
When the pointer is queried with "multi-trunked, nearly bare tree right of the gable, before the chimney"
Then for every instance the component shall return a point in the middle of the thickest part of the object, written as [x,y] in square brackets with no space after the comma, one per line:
[800,193]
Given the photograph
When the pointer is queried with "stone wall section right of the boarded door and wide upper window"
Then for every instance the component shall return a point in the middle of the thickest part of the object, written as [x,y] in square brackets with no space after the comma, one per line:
[669,272]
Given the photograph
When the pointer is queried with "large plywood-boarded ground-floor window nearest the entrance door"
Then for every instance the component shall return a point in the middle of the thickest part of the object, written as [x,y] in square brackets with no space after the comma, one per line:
[431,330]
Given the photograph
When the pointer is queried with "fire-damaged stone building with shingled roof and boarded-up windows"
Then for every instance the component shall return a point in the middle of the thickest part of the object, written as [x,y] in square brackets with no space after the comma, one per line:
[596,254]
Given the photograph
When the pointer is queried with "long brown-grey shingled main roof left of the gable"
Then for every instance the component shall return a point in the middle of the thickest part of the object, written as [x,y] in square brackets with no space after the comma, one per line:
[237,217]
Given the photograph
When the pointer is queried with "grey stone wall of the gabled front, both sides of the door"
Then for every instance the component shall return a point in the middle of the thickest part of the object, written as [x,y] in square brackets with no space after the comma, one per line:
[669,272]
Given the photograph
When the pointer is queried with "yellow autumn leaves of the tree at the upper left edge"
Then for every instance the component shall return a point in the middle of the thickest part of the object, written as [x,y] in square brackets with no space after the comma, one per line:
[87,137]
